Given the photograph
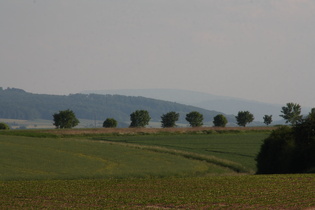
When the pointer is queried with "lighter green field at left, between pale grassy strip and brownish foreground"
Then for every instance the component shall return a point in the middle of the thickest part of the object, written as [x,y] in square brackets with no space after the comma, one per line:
[27,158]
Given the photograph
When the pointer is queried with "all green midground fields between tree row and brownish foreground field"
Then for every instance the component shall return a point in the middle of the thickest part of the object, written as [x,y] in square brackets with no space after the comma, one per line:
[66,154]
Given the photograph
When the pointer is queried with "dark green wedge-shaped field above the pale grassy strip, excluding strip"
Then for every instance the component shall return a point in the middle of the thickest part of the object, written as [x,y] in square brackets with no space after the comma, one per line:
[241,147]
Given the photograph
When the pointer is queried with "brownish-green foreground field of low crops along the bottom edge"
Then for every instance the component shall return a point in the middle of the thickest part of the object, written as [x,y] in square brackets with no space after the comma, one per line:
[215,192]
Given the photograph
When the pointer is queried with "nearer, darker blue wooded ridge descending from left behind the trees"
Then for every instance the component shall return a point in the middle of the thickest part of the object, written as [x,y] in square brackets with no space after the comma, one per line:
[18,104]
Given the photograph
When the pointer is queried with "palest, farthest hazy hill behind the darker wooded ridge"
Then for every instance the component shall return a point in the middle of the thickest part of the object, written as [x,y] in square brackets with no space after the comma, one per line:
[228,105]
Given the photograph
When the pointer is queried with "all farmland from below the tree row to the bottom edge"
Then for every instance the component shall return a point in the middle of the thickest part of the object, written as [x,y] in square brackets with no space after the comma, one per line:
[143,169]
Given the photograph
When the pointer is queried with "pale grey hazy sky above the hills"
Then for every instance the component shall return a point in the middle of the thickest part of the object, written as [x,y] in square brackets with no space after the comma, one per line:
[260,50]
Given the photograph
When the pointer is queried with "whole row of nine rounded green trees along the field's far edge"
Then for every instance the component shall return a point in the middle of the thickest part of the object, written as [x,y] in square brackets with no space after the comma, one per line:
[140,118]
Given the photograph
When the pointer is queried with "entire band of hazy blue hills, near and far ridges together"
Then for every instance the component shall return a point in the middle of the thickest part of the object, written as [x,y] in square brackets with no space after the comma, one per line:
[119,104]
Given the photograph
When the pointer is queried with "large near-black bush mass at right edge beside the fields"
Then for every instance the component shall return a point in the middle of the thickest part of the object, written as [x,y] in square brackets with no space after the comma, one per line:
[289,150]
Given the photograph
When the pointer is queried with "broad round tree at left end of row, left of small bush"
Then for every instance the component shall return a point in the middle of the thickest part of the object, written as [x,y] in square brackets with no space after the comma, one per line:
[65,119]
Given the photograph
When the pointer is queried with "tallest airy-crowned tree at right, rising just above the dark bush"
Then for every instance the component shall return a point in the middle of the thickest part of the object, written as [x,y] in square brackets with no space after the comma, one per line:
[291,113]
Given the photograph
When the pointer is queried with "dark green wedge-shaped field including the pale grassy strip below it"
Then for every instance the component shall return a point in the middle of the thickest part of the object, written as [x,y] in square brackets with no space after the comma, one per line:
[225,148]
